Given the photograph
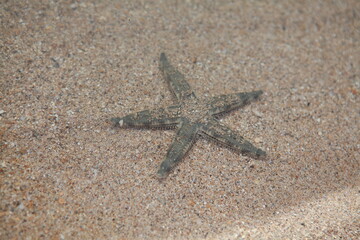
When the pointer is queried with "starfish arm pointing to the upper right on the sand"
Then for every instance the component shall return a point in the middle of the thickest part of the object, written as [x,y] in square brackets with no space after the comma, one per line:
[225,103]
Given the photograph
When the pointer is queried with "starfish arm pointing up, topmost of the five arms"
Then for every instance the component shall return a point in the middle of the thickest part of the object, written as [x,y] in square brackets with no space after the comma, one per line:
[178,85]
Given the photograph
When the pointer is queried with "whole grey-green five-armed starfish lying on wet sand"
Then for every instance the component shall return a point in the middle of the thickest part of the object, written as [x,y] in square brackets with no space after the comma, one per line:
[193,117]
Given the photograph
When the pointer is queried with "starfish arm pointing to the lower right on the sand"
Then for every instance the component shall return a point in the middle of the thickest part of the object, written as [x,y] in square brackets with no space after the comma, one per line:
[221,134]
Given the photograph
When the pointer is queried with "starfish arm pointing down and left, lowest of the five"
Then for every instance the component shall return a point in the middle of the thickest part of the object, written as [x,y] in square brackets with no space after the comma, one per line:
[184,139]
